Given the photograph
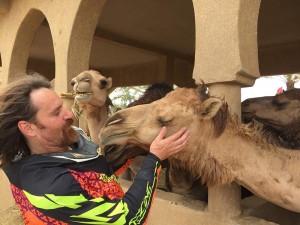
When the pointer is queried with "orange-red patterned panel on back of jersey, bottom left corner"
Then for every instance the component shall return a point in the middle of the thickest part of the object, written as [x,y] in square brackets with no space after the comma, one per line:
[31,216]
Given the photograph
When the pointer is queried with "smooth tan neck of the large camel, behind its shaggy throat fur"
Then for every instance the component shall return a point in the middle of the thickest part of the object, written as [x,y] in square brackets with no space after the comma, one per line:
[260,167]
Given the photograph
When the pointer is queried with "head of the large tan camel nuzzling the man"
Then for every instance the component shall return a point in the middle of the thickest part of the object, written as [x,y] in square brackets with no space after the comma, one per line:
[183,107]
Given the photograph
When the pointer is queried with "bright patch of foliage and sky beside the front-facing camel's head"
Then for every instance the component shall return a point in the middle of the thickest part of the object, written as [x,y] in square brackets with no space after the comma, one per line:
[122,96]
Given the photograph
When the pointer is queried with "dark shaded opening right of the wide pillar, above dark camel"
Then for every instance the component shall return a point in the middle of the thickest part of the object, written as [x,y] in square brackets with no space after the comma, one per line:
[278,37]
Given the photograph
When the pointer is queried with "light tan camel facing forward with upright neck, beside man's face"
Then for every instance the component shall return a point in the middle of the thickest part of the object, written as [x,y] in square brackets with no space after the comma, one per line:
[91,91]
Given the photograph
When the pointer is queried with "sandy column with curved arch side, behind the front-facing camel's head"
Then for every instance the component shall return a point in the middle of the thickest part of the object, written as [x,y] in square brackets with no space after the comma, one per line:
[77,41]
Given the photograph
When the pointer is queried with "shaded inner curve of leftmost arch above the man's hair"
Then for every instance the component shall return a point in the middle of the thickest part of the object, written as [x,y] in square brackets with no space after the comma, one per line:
[22,43]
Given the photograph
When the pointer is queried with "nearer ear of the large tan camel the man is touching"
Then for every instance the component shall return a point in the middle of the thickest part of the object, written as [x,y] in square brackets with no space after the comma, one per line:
[209,108]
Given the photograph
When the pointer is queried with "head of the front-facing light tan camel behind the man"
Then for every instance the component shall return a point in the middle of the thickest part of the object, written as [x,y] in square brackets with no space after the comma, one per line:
[90,87]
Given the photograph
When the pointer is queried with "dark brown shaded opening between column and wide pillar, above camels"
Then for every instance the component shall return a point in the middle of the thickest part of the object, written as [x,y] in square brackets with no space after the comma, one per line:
[125,31]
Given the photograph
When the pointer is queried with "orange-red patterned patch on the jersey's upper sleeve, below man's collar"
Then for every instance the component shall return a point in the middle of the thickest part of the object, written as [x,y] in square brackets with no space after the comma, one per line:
[99,185]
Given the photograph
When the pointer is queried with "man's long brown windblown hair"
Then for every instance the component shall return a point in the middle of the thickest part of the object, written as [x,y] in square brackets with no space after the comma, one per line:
[15,105]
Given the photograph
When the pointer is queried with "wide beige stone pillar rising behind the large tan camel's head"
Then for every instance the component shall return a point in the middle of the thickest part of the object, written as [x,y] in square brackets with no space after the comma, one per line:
[226,58]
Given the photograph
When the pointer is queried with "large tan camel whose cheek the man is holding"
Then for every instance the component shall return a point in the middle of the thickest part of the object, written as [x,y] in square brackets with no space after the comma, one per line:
[220,149]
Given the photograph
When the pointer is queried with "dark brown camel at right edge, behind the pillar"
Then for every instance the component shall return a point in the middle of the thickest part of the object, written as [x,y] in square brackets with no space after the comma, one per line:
[280,114]
